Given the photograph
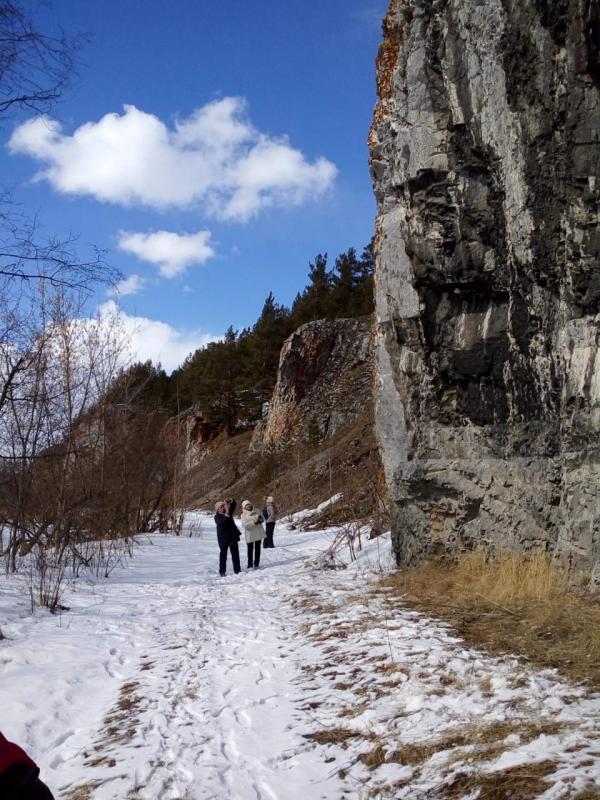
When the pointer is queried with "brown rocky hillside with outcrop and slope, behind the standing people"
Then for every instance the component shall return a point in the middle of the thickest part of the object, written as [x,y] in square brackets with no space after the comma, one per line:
[317,438]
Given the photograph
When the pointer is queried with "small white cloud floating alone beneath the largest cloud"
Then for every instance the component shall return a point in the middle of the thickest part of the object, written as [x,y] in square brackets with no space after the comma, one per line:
[171,252]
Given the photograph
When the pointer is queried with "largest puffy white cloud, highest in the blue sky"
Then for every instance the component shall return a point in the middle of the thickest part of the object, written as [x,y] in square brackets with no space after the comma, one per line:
[214,158]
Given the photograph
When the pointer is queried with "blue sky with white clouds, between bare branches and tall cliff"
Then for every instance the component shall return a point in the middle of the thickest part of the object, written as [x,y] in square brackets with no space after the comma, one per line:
[241,153]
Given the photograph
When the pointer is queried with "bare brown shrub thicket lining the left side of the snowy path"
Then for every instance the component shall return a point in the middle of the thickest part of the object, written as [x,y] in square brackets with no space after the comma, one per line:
[88,459]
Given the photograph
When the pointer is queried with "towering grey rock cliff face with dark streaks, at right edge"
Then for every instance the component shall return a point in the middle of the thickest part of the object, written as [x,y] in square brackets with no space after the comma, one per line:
[485,161]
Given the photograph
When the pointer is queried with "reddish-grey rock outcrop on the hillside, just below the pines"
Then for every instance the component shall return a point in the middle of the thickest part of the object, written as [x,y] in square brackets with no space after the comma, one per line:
[323,383]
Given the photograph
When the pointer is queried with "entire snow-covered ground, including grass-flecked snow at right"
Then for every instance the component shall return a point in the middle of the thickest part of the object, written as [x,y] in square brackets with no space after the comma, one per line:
[165,681]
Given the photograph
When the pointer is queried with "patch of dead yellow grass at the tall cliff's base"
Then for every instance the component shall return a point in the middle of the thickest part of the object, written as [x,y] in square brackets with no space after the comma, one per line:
[510,604]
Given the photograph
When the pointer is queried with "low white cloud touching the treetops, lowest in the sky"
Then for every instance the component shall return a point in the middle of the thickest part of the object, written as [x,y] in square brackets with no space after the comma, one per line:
[154,340]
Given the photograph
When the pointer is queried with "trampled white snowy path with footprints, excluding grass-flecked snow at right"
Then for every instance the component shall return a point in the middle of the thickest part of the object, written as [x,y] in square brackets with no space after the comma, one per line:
[168,681]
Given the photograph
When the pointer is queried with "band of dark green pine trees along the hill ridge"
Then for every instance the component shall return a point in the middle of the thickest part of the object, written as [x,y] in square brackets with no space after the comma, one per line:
[232,378]
